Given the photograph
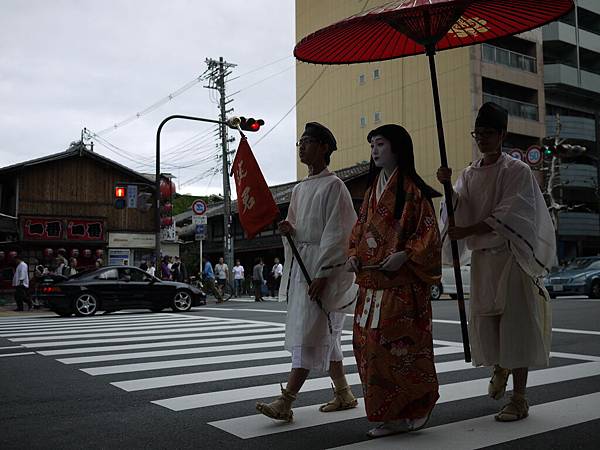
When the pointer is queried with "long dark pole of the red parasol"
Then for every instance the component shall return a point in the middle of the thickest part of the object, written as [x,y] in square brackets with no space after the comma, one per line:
[448,190]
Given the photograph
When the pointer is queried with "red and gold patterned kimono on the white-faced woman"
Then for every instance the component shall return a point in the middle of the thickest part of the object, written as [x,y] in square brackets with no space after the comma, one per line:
[393,343]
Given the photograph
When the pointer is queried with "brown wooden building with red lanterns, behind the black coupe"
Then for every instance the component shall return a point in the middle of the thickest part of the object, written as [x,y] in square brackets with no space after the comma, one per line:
[66,201]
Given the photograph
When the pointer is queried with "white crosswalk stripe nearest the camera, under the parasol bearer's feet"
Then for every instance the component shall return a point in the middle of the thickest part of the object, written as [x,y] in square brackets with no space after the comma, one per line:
[485,431]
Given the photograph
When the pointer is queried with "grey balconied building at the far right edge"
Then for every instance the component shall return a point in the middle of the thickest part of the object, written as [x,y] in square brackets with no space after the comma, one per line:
[572,85]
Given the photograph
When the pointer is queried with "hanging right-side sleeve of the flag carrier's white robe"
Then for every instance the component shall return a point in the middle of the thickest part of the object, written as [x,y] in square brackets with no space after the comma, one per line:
[339,217]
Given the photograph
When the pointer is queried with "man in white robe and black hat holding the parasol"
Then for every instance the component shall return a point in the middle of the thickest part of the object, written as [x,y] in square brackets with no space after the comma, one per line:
[501,215]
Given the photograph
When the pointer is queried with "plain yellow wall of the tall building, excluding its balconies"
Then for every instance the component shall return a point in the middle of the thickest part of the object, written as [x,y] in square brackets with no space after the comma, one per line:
[401,95]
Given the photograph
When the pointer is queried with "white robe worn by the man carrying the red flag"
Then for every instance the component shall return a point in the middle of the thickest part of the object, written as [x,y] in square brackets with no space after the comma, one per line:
[322,215]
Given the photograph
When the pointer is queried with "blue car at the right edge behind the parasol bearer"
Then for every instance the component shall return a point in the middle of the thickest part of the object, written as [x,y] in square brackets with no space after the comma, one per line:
[580,277]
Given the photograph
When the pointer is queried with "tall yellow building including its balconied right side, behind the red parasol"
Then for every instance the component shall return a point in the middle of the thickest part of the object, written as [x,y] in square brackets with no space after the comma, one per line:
[354,99]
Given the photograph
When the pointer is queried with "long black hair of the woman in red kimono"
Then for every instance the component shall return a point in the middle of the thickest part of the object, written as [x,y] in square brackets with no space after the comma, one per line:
[402,148]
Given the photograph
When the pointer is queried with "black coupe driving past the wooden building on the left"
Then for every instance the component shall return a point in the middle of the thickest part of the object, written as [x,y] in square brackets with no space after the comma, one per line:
[113,288]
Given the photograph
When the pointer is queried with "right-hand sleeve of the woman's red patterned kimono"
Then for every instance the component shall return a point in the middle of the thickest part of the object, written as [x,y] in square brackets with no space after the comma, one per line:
[424,245]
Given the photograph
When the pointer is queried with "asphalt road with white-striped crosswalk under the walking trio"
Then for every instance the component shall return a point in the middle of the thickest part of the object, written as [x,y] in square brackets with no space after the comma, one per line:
[141,380]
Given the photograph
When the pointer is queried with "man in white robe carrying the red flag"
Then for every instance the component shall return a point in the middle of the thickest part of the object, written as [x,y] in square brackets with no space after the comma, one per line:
[320,219]
